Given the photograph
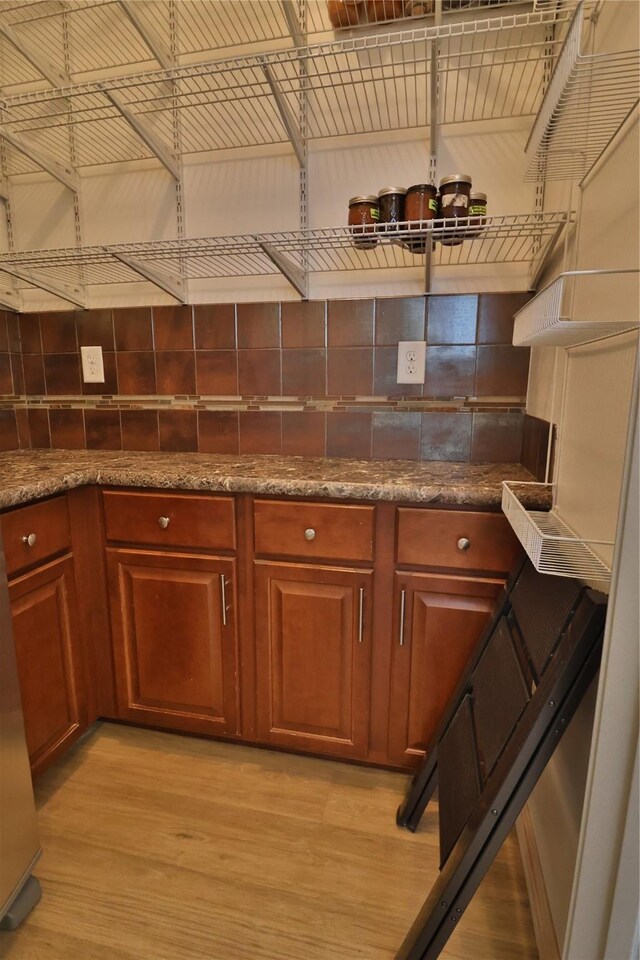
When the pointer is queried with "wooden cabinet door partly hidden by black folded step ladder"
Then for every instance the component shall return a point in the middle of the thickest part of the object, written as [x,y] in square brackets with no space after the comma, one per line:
[443,618]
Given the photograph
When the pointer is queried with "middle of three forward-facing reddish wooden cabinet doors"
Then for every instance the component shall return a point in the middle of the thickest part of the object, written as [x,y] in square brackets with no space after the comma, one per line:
[313,650]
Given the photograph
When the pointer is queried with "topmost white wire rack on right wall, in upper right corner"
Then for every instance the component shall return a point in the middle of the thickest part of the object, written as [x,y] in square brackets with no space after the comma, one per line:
[588,99]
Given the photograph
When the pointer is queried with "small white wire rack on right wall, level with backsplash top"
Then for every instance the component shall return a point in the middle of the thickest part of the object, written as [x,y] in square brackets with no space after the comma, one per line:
[548,319]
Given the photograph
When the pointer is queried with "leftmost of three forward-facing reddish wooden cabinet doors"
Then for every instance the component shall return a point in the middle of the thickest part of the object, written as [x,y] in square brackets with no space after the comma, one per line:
[174,639]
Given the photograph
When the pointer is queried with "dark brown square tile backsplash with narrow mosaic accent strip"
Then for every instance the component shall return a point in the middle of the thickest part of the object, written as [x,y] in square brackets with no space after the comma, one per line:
[313,379]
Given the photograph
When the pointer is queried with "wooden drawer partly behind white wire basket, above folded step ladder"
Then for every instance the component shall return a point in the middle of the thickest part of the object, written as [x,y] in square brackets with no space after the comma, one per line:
[438,538]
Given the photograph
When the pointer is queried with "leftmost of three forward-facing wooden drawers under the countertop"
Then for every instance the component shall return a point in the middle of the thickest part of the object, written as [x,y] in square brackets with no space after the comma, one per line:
[170,520]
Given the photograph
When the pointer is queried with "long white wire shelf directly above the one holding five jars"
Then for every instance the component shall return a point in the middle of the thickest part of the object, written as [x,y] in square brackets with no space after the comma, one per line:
[487,69]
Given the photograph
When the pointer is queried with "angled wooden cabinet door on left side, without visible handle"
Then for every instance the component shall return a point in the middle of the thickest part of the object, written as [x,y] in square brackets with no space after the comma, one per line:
[44,614]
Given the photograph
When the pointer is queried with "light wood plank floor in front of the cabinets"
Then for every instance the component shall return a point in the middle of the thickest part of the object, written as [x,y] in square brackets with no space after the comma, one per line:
[160,847]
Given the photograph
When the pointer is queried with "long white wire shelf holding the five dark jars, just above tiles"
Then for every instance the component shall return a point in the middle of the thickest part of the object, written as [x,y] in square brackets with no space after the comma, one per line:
[71,274]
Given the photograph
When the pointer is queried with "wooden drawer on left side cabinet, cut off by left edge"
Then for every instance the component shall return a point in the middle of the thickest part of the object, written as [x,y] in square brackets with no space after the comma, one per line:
[46,524]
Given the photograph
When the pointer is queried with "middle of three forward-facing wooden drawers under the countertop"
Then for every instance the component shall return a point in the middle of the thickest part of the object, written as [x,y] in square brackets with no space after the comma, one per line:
[323,530]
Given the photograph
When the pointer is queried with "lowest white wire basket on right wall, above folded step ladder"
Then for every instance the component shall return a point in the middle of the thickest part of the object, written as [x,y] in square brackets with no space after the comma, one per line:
[550,543]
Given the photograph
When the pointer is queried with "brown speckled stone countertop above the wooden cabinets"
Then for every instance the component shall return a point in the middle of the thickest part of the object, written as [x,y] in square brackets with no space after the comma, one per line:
[31,475]
